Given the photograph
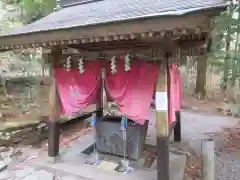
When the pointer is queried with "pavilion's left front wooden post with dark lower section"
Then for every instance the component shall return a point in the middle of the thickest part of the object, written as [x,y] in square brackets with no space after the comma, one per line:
[54,123]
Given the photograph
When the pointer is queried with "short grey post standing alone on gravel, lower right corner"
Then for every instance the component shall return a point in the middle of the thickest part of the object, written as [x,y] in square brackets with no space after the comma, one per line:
[208,159]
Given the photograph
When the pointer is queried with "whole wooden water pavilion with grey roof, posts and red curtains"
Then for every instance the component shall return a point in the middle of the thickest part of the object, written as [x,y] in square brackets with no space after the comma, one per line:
[131,48]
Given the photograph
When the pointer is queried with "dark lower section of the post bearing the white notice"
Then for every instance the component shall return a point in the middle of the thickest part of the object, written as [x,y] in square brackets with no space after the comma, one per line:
[163,158]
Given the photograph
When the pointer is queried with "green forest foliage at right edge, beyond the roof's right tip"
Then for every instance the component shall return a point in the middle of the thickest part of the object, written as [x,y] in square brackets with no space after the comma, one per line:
[225,52]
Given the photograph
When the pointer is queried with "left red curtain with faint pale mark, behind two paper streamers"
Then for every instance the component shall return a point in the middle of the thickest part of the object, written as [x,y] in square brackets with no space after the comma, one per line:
[77,91]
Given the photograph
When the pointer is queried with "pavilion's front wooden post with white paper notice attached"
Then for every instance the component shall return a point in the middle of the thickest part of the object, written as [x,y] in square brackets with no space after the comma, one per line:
[161,101]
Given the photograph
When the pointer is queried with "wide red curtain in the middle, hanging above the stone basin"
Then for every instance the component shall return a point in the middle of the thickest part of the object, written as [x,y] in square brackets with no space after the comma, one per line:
[132,91]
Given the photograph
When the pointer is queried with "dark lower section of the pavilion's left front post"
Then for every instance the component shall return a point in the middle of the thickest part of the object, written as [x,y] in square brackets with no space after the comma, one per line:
[53,138]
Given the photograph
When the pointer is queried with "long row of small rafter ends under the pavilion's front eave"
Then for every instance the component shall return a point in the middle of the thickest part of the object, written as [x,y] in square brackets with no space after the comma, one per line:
[182,34]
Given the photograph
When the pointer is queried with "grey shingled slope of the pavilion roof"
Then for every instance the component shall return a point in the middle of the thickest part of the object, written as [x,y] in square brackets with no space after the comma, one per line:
[107,11]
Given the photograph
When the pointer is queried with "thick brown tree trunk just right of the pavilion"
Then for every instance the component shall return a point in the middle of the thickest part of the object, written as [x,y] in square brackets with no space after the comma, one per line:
[200,90]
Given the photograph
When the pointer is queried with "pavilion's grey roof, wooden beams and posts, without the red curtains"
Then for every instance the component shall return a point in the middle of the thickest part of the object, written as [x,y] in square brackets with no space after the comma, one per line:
[158,31]
